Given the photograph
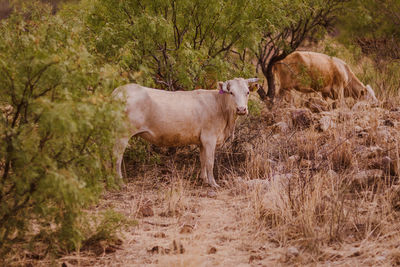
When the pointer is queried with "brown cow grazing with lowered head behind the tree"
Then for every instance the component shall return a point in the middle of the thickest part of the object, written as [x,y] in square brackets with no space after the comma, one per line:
[315,72]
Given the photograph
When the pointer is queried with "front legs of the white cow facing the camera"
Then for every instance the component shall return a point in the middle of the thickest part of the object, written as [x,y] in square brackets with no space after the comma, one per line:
[208,153]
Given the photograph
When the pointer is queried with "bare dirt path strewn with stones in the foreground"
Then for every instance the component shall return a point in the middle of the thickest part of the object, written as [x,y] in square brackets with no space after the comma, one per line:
[208,232]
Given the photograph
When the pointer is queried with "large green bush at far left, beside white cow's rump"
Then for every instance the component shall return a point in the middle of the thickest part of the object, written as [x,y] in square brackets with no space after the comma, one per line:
[56,129]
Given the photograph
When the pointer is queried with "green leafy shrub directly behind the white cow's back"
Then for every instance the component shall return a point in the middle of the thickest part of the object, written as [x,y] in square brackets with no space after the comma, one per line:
[170,44]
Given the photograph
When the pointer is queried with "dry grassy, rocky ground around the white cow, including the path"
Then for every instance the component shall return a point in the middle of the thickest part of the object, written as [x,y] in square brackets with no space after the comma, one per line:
[300,188]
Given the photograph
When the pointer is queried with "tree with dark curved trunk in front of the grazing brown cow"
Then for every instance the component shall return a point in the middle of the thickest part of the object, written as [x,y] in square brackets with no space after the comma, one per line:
[284,25]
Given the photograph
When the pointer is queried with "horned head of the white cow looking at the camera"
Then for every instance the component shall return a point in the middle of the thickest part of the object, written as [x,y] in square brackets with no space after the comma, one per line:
[239,89]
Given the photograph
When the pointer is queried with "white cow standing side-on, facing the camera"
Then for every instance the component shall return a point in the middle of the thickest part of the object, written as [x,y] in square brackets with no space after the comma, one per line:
[203,117]
